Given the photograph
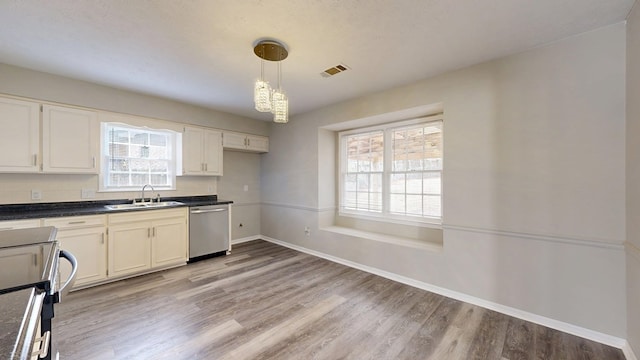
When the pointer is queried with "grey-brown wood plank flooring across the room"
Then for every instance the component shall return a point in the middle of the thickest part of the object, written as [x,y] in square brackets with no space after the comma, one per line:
[265,301]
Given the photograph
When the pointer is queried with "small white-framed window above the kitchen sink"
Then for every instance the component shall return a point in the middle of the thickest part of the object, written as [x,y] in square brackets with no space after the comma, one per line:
[135,156]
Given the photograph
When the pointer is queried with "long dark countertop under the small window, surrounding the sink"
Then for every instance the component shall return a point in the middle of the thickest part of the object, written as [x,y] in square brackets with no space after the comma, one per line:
[77,208]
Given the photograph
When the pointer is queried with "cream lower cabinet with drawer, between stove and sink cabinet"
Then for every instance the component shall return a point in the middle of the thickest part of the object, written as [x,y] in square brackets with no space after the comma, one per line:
[85,238]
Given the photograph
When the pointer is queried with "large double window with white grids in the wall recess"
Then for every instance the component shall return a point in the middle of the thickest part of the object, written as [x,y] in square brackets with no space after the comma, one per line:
[393,172]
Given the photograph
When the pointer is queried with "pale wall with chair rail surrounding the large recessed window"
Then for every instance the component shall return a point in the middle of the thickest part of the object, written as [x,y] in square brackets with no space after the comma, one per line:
[534,174]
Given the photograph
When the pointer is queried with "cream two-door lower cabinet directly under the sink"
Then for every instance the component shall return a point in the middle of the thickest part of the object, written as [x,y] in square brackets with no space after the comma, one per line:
[145,240]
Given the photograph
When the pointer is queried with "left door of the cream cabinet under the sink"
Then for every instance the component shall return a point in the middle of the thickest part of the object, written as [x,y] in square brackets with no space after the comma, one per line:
[129,248]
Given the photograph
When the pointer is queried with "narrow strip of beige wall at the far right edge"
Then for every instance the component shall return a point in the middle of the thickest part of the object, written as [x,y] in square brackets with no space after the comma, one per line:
[633,178]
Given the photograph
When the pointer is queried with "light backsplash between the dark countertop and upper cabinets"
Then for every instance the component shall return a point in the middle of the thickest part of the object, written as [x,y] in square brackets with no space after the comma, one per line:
[17,188]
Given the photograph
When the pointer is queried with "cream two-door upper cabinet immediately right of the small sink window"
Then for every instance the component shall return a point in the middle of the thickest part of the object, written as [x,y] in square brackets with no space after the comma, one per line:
[201,152]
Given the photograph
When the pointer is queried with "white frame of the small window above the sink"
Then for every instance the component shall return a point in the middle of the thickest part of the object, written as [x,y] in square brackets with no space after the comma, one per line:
[174,140]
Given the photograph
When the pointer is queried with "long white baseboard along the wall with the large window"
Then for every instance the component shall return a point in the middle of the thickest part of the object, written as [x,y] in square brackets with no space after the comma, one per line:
[520,314]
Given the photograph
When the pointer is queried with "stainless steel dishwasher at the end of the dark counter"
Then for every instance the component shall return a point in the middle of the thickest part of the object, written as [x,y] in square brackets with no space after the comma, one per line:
[208,231]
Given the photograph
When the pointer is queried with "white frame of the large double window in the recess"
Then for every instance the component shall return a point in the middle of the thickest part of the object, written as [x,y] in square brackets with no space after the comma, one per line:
[385,215]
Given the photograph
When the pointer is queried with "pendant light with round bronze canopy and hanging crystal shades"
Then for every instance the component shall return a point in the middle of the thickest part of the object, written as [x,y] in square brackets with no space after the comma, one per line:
[266,99]
